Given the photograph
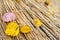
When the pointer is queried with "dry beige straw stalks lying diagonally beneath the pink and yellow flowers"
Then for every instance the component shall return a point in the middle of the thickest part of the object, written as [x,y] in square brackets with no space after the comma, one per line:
[48,19]
